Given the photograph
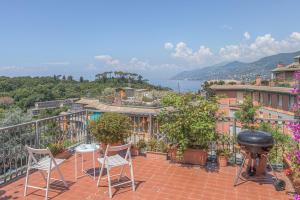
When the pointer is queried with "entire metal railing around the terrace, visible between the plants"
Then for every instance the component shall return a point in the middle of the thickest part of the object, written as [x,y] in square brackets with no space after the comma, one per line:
[73,128]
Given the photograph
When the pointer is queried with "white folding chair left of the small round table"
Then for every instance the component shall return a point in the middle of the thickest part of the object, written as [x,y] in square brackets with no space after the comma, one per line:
[46,164]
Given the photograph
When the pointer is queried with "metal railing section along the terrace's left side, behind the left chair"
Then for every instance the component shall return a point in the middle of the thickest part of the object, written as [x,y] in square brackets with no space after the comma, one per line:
[38,134]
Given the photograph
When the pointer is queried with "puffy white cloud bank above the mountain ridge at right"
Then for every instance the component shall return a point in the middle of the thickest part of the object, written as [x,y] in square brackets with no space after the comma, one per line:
[264,45]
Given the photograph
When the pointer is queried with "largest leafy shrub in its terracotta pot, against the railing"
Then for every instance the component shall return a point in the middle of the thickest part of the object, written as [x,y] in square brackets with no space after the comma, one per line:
[189,121]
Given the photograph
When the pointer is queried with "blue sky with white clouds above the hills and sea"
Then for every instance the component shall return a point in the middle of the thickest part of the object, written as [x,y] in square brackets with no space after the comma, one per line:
[154,38]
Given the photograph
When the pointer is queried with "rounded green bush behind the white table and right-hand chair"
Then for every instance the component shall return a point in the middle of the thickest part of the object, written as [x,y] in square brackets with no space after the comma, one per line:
[111,128]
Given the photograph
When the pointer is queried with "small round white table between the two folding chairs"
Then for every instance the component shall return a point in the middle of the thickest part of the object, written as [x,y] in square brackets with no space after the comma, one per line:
[83,149]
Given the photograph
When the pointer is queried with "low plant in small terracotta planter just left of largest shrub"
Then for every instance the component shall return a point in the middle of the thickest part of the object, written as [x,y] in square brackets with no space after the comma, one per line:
[156,149]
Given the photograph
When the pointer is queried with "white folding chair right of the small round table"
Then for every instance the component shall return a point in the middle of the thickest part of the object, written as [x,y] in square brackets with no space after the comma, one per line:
[110,162]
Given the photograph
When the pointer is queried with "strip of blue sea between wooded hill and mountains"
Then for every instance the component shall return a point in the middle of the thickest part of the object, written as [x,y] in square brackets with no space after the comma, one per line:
[179,85]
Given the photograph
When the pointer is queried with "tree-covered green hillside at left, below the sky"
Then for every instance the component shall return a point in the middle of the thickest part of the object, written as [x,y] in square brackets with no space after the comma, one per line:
[23,92]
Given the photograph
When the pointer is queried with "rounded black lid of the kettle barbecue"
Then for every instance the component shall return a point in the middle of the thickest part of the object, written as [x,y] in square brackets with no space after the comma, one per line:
[255,138]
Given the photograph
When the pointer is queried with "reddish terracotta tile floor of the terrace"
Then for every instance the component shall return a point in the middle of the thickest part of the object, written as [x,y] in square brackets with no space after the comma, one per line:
[156,179]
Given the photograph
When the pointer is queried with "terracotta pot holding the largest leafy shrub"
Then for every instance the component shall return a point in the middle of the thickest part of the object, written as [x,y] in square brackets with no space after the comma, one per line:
[195,156]
